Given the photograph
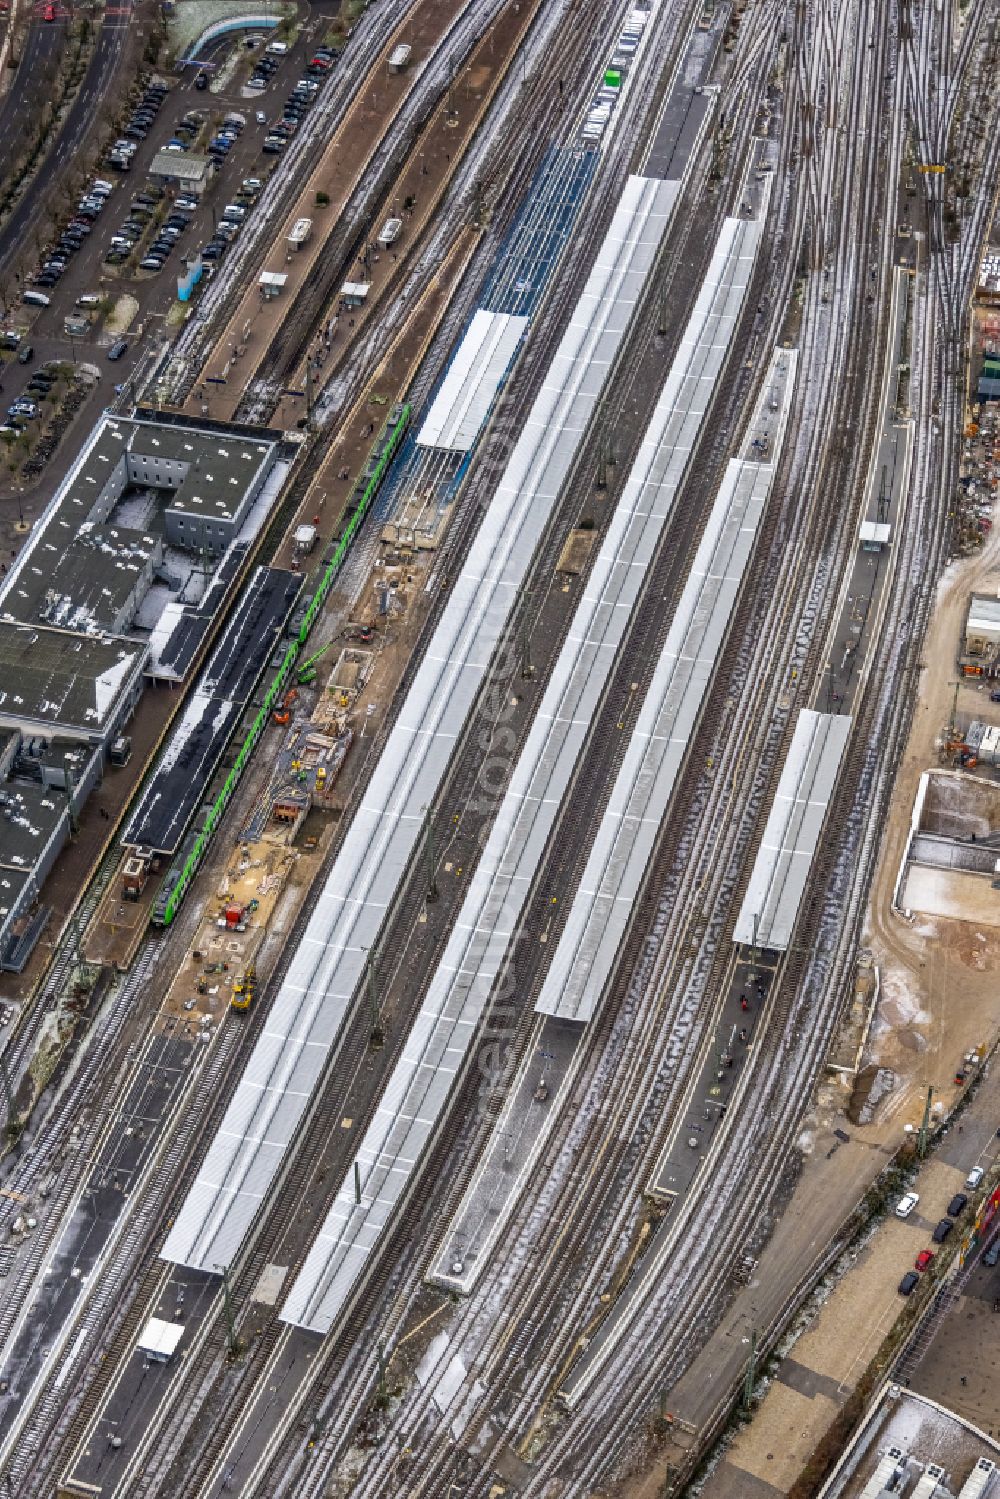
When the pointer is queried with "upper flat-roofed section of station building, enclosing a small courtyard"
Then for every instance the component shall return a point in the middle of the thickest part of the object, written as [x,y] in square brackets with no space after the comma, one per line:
[146,534]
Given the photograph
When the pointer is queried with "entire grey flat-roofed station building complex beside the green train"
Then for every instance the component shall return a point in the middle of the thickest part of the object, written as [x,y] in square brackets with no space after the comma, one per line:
[121,579]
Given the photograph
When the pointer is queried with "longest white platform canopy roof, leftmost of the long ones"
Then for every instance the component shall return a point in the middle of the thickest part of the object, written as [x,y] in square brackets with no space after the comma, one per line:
[329,966]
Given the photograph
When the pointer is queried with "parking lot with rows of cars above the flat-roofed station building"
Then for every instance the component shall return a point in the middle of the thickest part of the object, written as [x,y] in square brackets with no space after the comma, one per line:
[106,284]
